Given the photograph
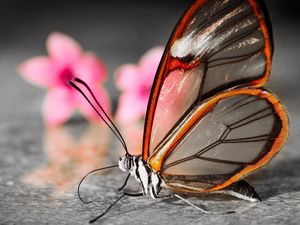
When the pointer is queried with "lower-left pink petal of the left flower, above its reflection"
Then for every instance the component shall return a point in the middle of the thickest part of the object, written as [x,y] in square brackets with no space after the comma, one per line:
[58,106]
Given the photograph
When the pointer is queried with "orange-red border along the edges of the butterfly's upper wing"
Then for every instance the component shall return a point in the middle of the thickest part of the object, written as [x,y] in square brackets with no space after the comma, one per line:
[163,67]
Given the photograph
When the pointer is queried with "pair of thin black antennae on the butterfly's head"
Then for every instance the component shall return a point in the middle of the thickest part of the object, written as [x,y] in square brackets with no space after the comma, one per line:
[104,118]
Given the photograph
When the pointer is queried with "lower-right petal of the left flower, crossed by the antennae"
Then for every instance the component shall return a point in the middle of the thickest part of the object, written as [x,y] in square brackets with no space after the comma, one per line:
[86,108]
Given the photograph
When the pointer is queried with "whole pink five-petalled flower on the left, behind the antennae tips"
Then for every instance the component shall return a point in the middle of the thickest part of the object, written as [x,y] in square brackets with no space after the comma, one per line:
[65,61]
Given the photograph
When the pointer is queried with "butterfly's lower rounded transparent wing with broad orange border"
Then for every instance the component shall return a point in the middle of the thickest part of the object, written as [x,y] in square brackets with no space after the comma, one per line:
[222,140]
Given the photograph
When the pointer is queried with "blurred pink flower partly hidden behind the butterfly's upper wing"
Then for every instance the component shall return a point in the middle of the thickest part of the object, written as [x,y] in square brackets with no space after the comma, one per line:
[135,83]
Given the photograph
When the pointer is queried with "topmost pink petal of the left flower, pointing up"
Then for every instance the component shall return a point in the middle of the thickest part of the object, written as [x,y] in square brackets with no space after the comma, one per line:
[63,49]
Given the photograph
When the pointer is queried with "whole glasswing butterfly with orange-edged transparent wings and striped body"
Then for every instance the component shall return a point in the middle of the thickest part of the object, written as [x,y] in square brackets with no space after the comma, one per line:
[209,121]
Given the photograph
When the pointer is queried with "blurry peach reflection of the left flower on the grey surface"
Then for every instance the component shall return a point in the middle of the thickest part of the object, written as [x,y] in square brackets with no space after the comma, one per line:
[68,157]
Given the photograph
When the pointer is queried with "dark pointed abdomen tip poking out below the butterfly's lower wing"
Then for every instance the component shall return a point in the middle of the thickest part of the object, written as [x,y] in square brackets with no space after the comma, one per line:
[242,190]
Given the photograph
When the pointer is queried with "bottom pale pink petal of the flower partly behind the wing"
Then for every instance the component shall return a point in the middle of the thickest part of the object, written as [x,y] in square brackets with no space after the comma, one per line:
[130,109]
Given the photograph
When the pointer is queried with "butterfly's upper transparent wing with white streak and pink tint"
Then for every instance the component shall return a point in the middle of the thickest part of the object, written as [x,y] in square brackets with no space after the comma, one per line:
[217,44]
